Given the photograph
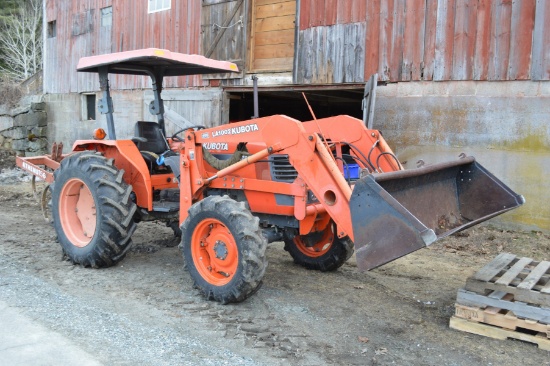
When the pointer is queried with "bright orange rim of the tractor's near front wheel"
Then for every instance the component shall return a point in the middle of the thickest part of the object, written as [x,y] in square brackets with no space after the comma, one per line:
[214,252]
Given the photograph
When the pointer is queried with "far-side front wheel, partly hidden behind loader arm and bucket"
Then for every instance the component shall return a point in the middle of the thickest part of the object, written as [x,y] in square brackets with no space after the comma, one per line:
[322,251]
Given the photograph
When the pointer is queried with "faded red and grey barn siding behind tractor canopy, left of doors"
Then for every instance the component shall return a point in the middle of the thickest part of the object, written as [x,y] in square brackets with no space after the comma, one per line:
[79,33]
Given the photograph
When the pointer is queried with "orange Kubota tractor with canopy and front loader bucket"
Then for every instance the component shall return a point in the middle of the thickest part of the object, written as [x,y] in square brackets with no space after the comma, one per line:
[325,187]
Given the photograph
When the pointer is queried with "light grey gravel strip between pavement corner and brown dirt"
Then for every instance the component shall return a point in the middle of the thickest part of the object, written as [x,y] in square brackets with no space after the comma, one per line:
[147,340]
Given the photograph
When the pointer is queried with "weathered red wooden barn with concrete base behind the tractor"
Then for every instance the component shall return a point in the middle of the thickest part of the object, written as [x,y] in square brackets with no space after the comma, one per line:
[455,75]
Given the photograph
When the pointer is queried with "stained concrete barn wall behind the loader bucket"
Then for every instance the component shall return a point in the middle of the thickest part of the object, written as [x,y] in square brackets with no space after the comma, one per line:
[505,125]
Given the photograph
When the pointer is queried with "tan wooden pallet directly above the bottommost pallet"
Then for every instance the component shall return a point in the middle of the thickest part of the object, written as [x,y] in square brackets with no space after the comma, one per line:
[502,318]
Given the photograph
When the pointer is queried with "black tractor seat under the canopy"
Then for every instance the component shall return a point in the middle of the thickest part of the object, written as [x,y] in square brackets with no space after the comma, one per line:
[150,142]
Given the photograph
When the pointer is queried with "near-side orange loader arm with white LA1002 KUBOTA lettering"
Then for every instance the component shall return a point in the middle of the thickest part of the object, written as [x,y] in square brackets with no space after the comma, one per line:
[317,171]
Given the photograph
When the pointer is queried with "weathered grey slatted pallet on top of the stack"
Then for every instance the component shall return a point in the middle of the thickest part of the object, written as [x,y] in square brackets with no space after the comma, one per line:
[527,280]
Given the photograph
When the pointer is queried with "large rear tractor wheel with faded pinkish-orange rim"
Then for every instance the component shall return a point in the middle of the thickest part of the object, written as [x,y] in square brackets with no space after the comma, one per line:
[92,210]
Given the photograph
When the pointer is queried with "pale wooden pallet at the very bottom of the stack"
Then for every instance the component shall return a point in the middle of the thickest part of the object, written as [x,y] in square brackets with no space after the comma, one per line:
[498,333]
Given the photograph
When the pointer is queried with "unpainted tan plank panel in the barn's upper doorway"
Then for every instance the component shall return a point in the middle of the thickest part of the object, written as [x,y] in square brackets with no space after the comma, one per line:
[272,35]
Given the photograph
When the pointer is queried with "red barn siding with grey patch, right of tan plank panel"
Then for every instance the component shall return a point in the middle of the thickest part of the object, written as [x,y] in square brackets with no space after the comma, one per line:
[424,40]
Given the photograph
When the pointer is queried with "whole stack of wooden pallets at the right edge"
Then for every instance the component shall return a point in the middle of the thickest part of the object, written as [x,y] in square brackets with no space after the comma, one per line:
[508,298]
